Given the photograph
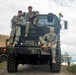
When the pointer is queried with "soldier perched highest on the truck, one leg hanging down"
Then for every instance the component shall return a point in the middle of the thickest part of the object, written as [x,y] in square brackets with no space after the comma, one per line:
[32,18]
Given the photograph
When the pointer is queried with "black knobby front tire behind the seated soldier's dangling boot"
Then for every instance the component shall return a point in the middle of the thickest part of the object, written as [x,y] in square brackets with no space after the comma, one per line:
[56,67]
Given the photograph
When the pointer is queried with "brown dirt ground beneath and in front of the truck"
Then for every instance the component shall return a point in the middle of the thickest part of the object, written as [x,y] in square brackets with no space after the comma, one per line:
[34,70]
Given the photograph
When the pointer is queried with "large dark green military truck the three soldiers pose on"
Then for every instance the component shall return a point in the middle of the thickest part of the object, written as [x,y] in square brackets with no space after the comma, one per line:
[27,50]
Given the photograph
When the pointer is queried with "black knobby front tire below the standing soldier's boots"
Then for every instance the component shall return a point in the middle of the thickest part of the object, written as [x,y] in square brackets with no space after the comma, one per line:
[12,64]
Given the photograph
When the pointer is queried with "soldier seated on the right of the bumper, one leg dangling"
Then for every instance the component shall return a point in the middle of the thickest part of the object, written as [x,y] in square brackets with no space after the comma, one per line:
[49,41]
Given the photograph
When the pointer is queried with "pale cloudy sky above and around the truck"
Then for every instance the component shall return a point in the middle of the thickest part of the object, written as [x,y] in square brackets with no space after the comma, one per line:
[9,8]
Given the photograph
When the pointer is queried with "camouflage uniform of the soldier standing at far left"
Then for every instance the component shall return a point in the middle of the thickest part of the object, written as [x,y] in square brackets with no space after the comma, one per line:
[16,29]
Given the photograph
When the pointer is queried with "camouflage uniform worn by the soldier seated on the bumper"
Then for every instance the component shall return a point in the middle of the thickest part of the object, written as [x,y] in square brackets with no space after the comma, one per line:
[50,38]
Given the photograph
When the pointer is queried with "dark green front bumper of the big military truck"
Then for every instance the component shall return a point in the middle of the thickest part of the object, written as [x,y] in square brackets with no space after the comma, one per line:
[27,50]
